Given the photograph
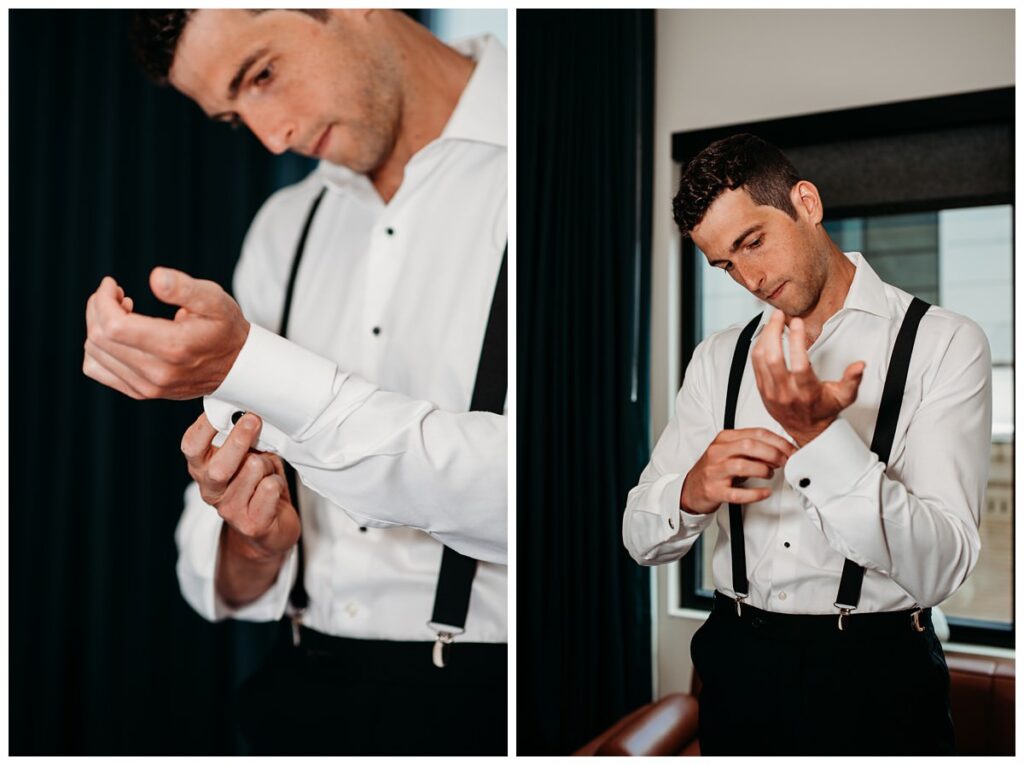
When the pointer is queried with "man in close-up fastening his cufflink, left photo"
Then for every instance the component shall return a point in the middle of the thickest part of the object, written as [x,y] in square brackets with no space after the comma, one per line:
[402,233]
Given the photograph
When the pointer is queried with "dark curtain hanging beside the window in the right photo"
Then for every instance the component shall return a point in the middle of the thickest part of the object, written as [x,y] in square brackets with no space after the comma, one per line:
[585,84]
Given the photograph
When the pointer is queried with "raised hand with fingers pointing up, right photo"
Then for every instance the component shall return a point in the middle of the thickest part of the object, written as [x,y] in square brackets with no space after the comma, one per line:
[795,398]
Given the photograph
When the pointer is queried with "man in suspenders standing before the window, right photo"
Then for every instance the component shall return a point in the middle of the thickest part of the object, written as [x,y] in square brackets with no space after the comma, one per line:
[835,544]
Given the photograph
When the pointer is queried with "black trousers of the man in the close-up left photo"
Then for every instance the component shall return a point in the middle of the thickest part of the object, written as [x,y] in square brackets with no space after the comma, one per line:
[343,697]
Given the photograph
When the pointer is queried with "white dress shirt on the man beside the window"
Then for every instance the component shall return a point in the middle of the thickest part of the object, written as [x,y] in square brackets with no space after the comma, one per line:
[914,525]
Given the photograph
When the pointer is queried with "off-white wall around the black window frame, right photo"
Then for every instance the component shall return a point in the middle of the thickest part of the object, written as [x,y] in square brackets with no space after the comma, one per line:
[723,67]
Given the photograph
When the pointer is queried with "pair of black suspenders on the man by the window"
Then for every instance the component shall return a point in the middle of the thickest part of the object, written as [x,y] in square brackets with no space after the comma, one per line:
[882,442]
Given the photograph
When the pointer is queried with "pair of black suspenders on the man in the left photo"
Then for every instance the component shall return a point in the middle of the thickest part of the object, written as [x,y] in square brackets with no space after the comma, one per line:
[455,582]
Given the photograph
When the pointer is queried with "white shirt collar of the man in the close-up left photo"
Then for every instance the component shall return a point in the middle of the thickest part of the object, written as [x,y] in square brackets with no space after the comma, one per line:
[481,115]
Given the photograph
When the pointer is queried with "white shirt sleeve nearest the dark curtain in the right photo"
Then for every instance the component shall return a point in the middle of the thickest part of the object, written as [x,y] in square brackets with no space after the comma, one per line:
[656,530]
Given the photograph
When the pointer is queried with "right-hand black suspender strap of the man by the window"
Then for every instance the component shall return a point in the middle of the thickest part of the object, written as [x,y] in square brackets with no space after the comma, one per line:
[885,431]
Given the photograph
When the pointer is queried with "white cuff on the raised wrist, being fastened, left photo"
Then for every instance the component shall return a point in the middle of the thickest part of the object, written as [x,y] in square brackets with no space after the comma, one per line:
[287,386]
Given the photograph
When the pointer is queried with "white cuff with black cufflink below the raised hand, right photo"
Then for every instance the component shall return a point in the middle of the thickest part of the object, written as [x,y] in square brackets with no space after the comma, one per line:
[830,466]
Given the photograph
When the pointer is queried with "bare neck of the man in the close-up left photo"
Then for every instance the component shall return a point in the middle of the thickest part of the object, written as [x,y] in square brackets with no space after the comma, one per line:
[434,77]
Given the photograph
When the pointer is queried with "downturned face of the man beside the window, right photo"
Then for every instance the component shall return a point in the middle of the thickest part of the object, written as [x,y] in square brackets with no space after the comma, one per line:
[777,259]
